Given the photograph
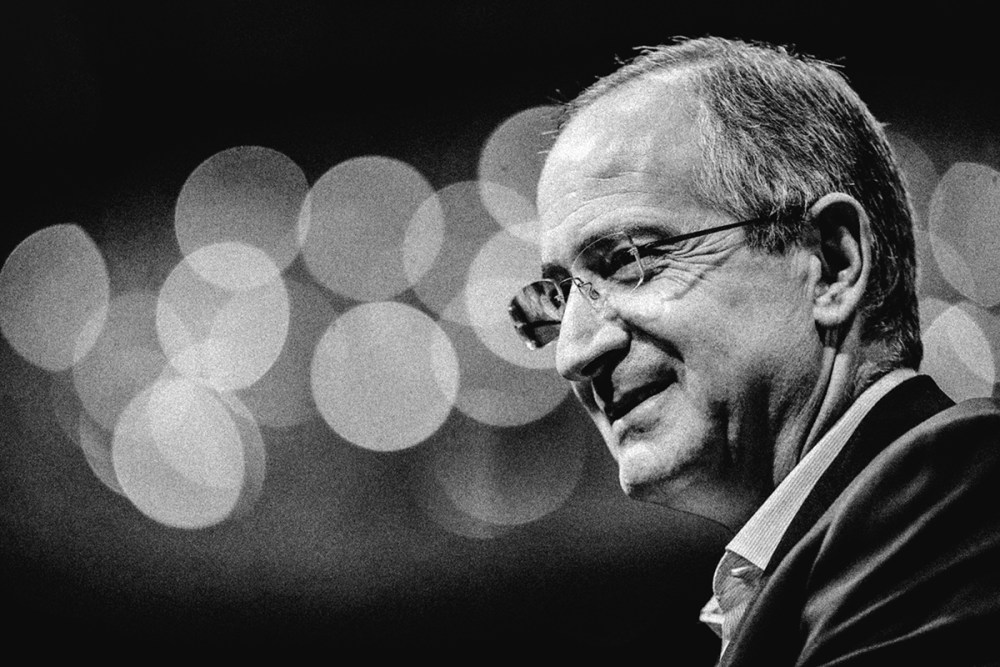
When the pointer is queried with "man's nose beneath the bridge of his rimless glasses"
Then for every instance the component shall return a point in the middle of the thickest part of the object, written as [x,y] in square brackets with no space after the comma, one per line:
[589,339]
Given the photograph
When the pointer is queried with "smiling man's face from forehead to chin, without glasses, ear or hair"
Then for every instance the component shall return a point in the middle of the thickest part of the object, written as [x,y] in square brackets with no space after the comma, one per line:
[695,375]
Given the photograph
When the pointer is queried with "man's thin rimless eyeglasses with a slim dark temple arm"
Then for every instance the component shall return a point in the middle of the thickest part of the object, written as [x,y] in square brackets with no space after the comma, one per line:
[610,266]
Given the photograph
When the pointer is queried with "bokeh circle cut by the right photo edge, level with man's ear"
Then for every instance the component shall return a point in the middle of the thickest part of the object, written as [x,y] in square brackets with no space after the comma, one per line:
[964,219]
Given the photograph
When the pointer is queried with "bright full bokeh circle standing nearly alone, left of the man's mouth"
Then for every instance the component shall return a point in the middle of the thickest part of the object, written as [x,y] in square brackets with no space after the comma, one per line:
[384,376]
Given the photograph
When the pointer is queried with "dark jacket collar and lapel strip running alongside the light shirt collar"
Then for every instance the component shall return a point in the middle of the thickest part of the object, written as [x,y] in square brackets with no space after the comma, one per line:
[905,406]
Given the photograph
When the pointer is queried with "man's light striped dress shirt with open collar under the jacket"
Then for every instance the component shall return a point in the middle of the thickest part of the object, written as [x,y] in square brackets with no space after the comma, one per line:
[740,573]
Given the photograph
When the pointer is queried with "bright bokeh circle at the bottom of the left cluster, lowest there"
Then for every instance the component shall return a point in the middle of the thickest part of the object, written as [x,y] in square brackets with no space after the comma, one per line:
[179,456]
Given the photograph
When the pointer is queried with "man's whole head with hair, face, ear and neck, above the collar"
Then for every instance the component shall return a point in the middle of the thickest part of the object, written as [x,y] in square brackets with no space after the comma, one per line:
[706,371]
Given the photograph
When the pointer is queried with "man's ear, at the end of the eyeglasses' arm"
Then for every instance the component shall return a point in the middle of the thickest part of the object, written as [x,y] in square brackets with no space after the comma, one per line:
[842,258]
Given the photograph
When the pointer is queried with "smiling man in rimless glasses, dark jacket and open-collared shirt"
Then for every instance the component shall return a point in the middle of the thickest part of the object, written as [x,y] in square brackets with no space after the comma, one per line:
[729,280]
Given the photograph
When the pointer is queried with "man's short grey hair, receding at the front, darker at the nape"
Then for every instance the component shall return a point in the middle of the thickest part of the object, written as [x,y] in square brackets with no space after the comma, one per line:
[779,131]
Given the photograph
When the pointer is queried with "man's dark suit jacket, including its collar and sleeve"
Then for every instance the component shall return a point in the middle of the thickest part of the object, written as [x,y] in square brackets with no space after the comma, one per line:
[894,559]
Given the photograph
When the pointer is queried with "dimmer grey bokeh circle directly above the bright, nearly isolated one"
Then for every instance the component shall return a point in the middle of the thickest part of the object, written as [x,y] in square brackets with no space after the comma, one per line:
[354,223]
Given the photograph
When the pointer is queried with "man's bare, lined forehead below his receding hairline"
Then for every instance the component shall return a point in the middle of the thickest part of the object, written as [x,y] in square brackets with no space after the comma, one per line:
[632,152]
